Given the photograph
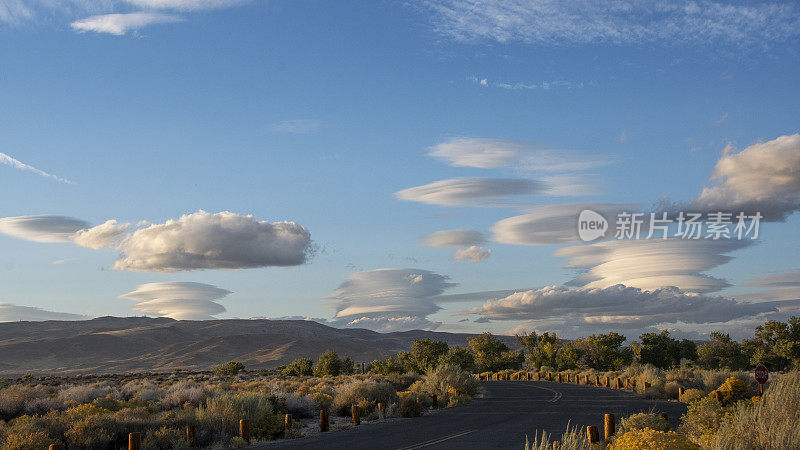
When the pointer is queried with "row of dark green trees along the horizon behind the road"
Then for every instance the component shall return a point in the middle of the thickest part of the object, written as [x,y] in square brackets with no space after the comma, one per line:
[775,344]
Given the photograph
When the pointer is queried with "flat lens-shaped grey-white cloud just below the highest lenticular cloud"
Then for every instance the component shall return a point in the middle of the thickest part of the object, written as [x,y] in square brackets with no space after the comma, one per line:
[471,191]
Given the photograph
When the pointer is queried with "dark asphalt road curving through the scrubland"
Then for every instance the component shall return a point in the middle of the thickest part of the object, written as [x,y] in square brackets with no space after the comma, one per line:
[501,420]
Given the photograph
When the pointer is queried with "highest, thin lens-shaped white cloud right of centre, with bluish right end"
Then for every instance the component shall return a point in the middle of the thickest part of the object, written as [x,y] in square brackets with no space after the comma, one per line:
[493,153]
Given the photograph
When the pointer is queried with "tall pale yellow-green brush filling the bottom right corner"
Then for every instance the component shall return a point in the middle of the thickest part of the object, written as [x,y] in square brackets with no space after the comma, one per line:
[769,423]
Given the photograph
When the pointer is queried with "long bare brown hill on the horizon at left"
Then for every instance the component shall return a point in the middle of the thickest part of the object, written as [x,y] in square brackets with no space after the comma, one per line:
[134,344]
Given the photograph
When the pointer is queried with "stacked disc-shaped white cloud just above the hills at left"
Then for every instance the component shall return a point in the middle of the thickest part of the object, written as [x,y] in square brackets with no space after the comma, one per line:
[178,300]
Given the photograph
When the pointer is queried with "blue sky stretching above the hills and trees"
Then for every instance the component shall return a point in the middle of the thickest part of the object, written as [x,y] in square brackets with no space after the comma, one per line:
[319,113]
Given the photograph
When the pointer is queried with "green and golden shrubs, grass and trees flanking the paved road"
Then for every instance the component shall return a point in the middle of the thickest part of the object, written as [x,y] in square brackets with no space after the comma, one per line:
[714,379]
